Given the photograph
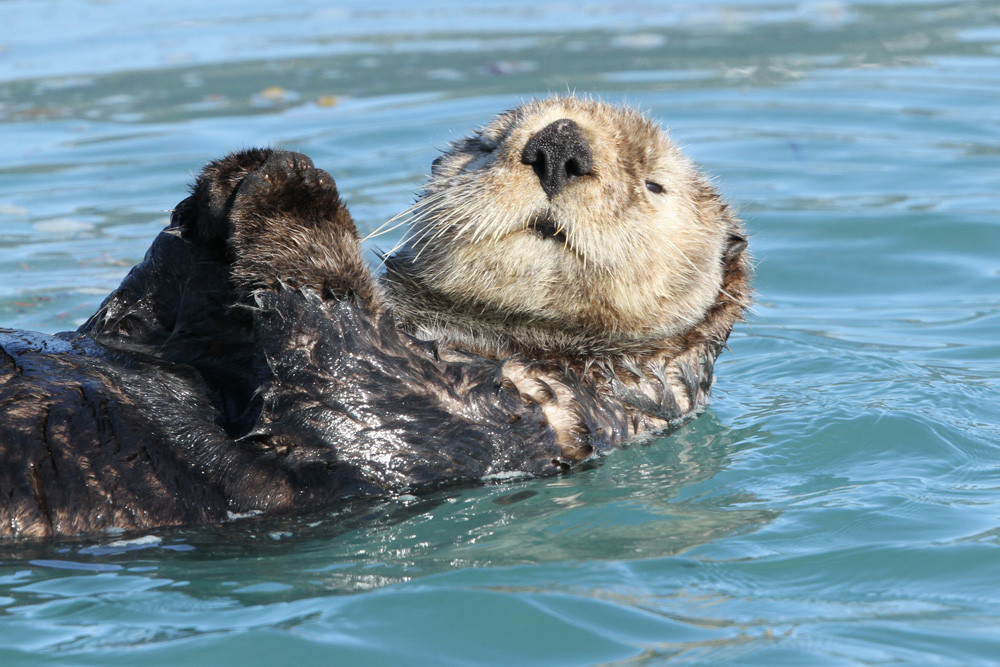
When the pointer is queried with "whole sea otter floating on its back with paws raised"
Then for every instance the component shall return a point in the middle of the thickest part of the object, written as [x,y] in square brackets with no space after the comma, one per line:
[568,281]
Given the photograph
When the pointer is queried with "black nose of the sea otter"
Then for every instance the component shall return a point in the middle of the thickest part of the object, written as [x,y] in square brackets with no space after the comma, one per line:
[558,154]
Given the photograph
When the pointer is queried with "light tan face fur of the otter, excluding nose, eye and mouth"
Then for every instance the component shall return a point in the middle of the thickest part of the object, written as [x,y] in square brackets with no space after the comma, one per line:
[635,264]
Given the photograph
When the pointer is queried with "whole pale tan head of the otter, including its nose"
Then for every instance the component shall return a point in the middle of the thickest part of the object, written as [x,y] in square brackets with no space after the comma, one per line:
[566,226]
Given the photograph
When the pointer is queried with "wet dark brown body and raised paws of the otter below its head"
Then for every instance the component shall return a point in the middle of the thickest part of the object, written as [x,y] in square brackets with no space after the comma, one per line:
[250,364]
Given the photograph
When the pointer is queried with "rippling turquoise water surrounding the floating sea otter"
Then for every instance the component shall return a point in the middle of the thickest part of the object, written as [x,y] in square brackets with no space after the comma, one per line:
[840,501]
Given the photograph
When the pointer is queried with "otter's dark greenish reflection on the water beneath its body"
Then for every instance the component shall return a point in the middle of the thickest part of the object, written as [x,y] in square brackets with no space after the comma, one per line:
[627,507]
